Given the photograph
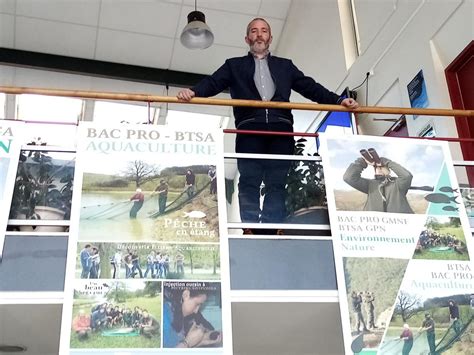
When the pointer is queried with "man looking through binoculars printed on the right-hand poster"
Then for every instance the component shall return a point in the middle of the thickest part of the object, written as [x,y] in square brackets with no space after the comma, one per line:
[385,193]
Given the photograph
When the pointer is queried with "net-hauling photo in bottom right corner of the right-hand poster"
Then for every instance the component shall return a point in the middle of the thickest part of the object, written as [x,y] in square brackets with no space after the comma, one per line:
[422,324]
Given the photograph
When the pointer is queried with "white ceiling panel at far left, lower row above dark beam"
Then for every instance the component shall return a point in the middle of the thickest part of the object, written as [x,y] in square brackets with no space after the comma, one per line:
[55,37]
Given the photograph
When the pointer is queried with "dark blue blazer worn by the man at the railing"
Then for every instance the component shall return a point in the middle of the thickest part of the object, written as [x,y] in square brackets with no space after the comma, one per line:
[237,74]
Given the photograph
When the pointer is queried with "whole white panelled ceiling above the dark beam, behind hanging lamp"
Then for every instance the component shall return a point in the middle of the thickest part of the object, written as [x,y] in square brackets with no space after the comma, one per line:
[137,32]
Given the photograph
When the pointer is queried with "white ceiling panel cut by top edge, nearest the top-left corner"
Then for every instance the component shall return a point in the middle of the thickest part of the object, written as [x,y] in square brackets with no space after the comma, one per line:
[74,11]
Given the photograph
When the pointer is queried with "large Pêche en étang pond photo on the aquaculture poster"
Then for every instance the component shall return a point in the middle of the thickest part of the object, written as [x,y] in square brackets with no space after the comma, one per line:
[148,200]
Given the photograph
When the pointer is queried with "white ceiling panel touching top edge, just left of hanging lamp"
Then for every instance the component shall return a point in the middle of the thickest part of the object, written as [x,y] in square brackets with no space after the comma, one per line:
[149,17]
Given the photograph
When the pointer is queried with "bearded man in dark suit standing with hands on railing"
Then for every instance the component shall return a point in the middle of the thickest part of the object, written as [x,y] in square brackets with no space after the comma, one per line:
[262,76]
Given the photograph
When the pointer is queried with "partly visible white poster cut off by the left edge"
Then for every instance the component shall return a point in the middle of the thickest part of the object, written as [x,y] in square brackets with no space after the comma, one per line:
[10,145]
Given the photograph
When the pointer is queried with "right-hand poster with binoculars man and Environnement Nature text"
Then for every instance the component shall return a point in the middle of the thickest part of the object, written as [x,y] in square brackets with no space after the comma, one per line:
[402,244]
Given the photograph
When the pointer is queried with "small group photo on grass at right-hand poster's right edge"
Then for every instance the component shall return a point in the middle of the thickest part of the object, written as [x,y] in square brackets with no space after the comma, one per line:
[442,239]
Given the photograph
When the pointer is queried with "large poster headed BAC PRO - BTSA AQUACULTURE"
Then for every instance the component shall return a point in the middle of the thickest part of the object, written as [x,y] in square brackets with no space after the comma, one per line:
[145,268]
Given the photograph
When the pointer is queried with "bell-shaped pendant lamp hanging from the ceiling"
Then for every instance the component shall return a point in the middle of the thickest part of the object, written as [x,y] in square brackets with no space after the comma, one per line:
[196,34]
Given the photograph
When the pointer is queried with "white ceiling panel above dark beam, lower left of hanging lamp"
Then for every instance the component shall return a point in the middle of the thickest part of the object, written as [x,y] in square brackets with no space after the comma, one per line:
[135,49]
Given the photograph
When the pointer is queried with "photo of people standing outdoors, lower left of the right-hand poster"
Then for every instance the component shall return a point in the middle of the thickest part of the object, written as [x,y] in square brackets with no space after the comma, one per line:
[372,285]
